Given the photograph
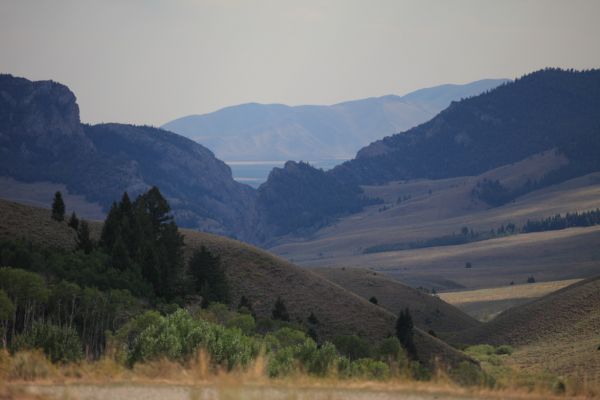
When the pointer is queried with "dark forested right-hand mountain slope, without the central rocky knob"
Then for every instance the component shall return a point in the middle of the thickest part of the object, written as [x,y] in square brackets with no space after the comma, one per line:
[540,111]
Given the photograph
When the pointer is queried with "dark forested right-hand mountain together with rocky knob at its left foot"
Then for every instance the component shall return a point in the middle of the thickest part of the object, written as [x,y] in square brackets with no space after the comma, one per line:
[545,110]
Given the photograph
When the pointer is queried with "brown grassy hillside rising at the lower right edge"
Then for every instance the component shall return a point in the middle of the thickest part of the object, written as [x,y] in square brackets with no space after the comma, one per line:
[558,332]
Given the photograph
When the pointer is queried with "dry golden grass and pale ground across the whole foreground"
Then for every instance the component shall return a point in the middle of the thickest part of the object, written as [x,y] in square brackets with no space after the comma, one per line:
[29,375]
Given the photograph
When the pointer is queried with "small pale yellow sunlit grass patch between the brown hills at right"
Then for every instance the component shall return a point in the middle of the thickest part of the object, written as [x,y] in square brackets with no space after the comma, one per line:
[485,304]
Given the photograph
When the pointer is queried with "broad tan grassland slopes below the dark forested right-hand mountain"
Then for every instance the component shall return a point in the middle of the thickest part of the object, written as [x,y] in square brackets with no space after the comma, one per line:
[445,210]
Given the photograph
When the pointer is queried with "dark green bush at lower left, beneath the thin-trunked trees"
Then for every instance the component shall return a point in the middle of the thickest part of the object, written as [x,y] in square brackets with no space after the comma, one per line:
[60,344]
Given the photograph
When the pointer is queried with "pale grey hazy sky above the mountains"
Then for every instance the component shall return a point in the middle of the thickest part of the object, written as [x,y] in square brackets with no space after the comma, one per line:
[153,61]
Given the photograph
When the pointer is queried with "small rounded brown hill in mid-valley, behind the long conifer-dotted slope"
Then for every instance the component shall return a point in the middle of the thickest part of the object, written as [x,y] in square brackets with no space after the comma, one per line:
[428,312]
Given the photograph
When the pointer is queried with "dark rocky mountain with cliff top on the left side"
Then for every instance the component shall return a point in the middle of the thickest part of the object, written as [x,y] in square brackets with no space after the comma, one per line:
[42,139]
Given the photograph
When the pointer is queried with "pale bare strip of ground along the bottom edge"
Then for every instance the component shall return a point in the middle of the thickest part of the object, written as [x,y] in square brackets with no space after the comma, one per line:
[253,391]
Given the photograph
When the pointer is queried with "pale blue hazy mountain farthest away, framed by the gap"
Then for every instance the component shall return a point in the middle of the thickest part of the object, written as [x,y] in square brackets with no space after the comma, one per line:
[279,132]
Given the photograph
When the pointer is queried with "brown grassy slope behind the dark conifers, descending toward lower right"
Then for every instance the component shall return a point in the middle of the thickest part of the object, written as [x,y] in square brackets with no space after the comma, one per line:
[256,274]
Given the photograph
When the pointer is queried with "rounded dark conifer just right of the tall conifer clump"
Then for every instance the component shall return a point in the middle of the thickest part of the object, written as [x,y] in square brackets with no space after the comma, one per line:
[209,278]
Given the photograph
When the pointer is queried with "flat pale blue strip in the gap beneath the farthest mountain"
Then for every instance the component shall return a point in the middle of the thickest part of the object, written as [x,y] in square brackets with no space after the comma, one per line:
[254,173]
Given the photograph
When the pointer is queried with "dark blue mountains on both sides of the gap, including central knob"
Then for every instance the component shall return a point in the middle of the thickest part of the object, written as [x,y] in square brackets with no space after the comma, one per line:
[43,140]
